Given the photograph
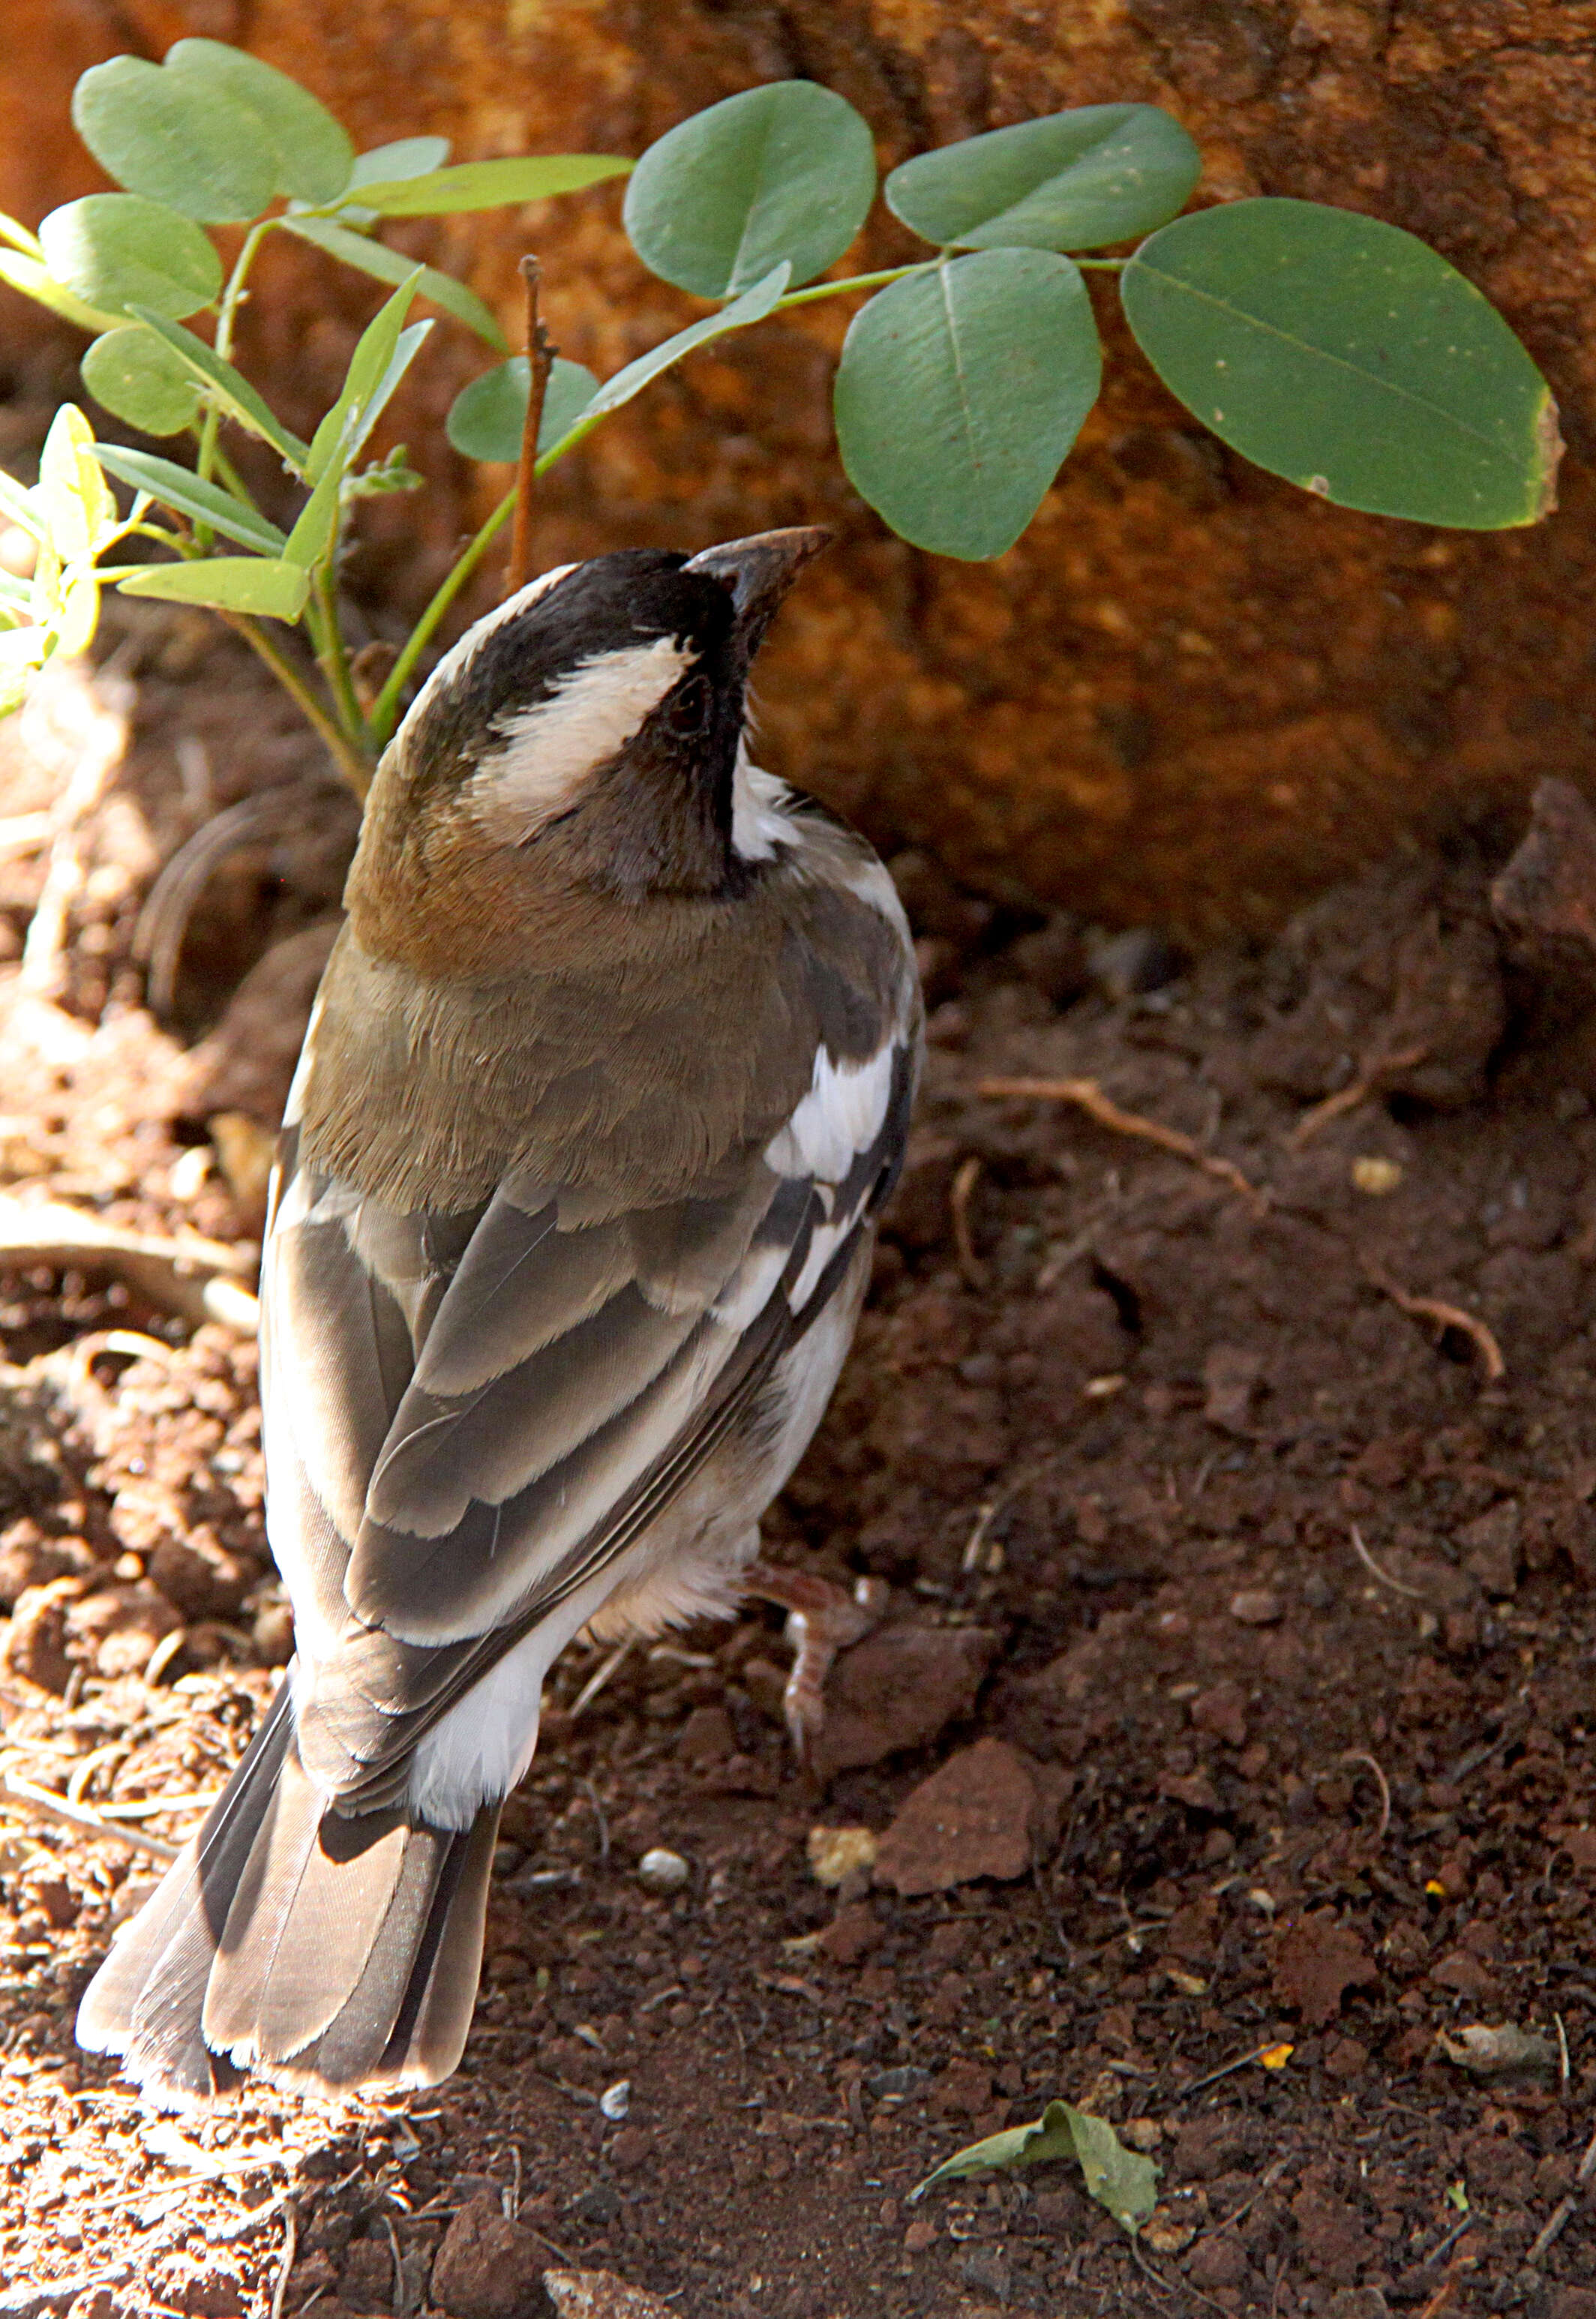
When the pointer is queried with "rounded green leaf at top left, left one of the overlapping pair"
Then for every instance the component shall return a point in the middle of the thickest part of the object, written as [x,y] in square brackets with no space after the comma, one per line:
[175,140]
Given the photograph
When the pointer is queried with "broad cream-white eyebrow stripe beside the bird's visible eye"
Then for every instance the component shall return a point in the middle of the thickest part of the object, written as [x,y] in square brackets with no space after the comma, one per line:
[551,748]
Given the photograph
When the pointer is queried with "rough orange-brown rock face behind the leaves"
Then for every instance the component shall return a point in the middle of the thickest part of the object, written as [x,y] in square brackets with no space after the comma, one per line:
[1189,695]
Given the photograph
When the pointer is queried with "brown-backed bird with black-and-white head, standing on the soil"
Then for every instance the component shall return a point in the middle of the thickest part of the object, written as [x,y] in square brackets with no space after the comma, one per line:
[572,1221]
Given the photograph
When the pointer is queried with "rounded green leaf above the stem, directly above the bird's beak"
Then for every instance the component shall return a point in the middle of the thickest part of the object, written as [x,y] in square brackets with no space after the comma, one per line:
[776,173]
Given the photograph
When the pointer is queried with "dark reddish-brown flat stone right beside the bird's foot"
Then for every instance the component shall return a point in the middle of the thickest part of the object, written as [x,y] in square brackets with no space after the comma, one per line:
[899,1689]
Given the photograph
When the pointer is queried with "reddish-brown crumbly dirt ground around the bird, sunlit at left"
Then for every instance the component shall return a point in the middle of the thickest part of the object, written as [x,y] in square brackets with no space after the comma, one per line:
[1240,1515]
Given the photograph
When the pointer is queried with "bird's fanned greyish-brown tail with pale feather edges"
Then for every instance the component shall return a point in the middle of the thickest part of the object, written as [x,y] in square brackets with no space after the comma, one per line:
[319,1949]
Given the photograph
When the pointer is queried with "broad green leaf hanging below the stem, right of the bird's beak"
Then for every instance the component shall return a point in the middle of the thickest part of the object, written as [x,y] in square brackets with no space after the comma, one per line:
[962,391]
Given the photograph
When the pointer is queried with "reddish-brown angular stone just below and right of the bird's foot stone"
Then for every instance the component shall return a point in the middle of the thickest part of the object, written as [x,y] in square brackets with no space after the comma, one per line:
[978,1817]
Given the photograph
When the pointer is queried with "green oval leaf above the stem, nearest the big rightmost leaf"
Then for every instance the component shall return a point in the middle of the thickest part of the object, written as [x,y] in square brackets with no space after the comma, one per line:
[1073,182]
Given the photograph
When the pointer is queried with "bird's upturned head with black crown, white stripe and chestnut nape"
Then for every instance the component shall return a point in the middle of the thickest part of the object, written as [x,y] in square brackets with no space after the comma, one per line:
[579,741]
